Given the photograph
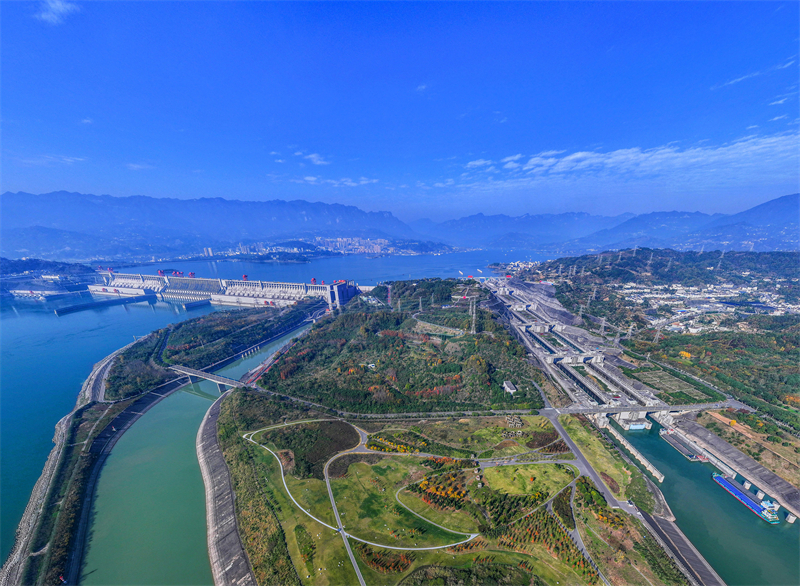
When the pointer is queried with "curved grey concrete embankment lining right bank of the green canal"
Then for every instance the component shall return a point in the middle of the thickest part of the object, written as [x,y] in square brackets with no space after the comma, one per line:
[229,562]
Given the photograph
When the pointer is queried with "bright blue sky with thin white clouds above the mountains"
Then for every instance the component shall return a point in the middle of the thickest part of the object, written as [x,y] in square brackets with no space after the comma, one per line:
[425,109]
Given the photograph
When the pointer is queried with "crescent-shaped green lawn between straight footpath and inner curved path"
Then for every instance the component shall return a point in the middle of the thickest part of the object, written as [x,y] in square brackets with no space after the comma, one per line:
[369,510]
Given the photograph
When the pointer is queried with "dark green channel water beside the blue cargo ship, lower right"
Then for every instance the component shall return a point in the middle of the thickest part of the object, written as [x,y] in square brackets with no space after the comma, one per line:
[743,549]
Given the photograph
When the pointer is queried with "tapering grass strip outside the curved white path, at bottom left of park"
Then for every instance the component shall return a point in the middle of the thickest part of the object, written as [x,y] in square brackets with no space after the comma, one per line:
[330,548]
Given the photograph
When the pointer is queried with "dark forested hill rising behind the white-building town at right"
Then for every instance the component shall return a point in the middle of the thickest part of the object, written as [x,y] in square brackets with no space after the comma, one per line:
[665,266]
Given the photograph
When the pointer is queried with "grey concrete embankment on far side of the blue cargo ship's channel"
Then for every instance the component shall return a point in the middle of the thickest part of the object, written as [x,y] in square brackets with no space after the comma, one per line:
[783,492]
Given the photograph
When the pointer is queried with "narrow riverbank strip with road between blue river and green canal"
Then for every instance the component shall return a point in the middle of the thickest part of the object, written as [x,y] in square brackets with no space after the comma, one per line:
[71,472]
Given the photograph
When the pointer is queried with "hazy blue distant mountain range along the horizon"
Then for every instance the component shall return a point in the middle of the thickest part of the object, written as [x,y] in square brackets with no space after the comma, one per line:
[71,226]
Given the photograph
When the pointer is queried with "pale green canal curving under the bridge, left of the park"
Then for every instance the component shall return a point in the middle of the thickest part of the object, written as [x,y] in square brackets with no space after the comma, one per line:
[149,514]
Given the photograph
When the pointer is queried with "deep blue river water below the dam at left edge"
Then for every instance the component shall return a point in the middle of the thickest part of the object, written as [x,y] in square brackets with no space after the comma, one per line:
[44,360]
